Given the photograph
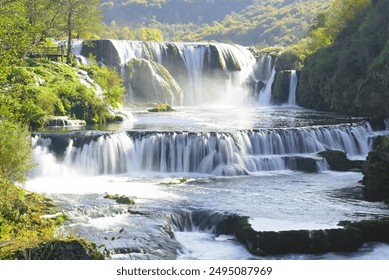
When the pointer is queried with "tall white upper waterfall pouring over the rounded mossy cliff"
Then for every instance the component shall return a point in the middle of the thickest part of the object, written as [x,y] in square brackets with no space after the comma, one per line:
[208,73]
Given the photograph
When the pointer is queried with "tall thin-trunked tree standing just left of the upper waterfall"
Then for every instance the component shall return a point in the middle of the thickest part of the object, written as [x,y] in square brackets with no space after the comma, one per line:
[81,17]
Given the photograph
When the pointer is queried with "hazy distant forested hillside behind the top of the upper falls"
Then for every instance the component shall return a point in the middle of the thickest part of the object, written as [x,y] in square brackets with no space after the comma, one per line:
[247,22]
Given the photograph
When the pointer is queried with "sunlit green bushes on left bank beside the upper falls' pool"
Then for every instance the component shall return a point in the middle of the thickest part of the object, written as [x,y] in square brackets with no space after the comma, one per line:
[43,88]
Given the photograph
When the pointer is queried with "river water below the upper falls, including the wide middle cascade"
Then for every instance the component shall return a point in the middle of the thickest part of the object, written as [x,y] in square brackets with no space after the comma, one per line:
[160,226]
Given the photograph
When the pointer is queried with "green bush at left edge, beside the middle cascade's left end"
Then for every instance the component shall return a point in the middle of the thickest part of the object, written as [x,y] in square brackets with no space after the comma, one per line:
[15,151]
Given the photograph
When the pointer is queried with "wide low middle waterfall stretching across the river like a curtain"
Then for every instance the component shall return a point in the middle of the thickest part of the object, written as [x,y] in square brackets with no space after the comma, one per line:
[231,154]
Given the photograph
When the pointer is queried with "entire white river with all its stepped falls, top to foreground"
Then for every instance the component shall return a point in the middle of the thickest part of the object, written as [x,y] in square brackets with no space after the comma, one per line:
[227,149]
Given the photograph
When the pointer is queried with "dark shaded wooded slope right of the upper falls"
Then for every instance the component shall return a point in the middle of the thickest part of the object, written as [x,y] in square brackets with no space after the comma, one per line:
[350,73]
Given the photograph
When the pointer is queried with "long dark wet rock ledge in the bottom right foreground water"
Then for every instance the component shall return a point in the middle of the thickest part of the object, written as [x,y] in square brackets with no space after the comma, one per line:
[264,243]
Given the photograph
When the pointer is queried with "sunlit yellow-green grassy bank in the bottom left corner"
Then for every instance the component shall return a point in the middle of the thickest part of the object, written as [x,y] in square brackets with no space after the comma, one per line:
[28,223]
